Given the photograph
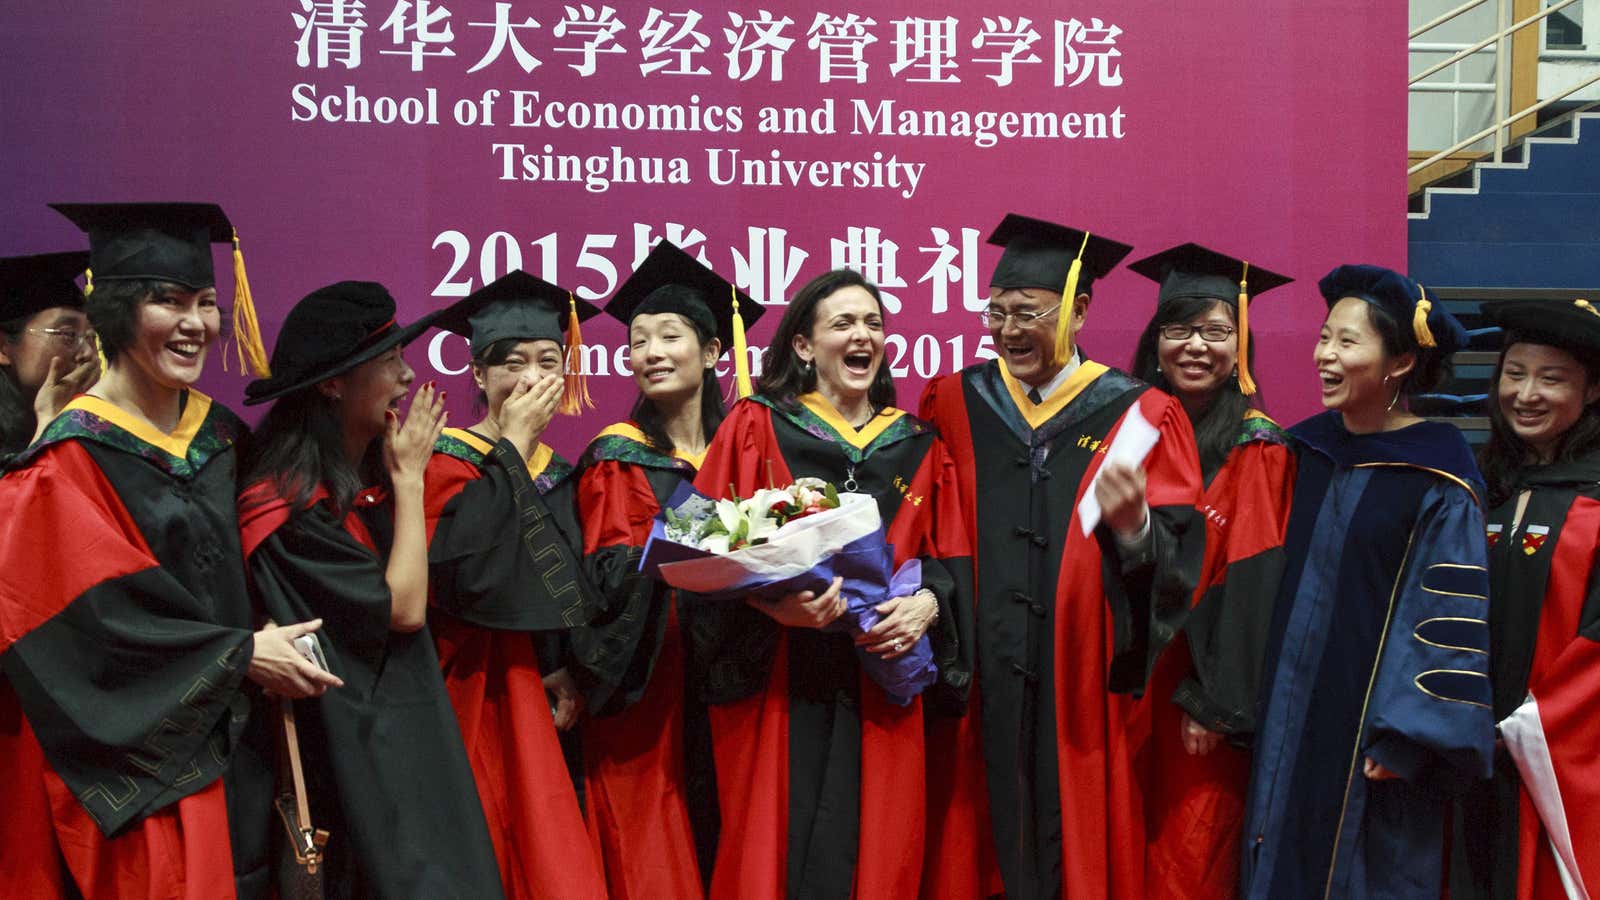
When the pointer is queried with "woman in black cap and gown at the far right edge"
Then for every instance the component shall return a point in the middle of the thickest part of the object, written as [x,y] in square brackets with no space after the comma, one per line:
[1543,472]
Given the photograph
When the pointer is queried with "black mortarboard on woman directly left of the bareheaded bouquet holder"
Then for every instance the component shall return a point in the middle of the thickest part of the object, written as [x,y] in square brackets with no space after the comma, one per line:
[671,281]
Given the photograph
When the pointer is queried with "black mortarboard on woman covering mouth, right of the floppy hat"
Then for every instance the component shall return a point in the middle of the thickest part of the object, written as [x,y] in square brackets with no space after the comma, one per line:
[516,305]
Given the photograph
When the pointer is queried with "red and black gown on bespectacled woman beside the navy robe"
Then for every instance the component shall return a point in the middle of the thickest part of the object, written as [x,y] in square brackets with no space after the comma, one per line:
[1196,805]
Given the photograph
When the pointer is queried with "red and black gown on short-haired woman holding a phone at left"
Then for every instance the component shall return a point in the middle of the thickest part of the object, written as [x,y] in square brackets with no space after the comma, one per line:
[126,635]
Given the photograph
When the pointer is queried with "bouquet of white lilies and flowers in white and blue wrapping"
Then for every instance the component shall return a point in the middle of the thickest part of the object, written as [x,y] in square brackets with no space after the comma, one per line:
[785,540]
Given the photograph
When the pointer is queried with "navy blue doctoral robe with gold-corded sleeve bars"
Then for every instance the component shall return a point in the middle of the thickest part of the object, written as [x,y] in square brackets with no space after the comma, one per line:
[1378,649]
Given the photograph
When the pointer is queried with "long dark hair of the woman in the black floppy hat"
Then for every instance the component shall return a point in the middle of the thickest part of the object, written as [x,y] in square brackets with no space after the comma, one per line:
[300,446]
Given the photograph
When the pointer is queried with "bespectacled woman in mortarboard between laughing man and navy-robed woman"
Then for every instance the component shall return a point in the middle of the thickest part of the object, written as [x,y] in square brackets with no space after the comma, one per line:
[1199,350]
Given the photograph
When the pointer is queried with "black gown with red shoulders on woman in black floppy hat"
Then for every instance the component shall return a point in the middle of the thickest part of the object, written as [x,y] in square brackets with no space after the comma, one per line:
[385,763]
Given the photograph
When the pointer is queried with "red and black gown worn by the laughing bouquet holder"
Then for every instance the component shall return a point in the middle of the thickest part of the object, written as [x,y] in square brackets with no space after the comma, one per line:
[822,777]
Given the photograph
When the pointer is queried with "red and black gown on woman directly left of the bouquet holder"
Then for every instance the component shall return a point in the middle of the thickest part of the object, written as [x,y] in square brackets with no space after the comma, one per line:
[638,779]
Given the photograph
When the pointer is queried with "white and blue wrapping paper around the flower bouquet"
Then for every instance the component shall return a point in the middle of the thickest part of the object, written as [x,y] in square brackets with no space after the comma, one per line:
[804,555]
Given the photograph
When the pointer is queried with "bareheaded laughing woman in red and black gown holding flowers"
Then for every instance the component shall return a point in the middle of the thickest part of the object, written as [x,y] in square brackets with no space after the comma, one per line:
[794,718]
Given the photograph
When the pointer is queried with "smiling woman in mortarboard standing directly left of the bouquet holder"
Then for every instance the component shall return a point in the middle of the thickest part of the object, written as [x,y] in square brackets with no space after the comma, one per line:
[647,744]
